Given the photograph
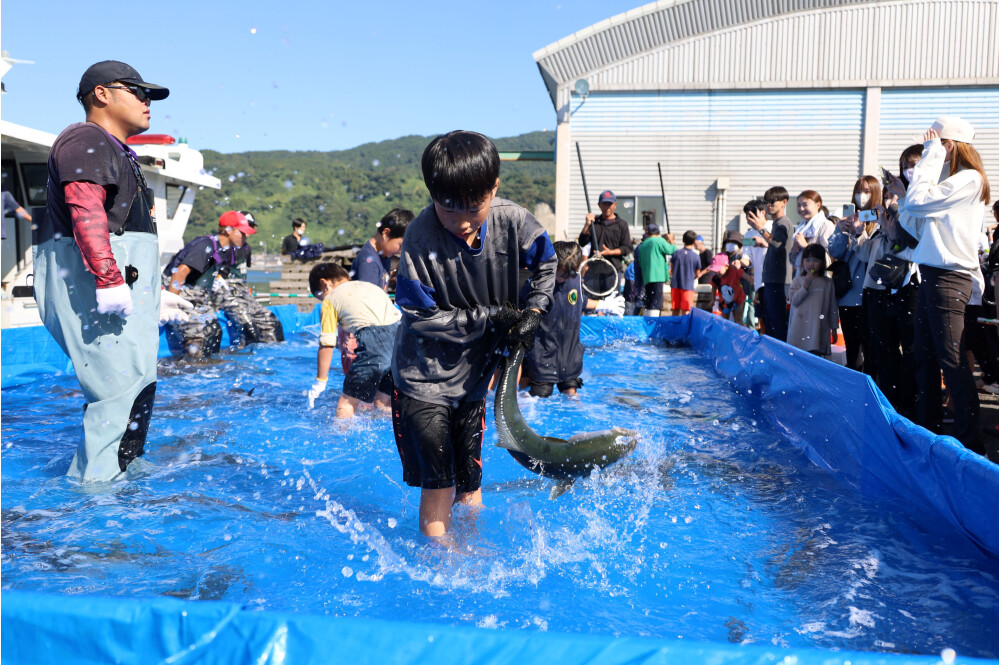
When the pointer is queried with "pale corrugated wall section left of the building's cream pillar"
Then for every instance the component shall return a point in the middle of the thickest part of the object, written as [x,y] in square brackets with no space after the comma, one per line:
[801,140]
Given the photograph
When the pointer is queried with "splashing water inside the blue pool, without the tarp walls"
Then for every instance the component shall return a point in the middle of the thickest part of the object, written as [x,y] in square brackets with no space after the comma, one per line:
[715,528]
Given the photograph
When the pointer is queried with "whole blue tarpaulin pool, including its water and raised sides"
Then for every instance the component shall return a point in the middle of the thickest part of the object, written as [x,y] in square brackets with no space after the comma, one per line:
[629,566]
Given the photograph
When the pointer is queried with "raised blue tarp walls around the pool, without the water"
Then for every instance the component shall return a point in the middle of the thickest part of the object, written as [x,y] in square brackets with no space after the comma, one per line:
[837,416]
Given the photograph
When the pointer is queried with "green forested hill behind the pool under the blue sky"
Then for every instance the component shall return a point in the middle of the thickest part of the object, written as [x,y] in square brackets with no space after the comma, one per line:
[342,194]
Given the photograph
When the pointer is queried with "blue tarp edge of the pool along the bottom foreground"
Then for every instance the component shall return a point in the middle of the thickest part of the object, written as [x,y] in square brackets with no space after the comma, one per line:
[44,629]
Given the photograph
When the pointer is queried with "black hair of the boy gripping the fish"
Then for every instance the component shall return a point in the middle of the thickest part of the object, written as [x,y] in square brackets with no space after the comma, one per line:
[460,168]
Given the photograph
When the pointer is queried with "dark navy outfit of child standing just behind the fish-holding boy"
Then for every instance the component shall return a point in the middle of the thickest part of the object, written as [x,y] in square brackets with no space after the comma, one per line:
[558,353]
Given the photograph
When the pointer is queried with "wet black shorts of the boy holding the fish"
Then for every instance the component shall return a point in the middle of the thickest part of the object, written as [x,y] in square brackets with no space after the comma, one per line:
[439,446]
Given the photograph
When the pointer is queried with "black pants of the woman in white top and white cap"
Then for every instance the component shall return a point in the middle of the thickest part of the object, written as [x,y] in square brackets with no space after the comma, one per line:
[939,327]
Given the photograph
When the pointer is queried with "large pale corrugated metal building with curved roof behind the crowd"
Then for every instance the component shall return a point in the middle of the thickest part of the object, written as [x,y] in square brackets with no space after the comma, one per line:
[731,97]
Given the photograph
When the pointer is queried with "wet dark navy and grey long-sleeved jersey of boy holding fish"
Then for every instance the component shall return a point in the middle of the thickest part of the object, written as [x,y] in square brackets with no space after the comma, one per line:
[447,350]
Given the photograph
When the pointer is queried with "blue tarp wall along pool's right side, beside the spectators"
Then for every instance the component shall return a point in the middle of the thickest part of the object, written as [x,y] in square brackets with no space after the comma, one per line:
[839,418]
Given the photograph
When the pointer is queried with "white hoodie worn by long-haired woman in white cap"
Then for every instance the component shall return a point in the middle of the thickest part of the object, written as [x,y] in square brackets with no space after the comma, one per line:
[945,218]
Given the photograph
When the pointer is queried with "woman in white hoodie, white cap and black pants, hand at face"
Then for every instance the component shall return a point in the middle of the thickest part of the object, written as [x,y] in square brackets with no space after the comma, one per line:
[943,209]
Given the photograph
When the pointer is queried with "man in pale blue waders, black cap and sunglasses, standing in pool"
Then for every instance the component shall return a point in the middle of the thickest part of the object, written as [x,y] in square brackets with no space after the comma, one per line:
[97,280]
